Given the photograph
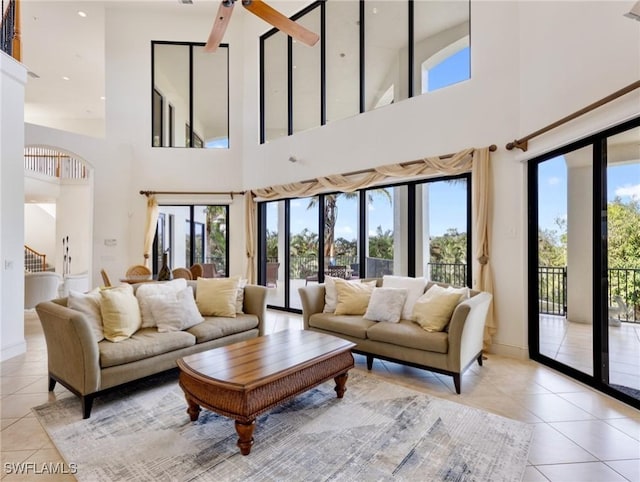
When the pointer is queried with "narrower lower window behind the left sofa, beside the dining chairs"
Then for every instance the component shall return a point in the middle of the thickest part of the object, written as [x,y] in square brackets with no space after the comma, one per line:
[198,234]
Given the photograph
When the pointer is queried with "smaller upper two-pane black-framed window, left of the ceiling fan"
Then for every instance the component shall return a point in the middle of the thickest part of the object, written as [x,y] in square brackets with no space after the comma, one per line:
[195,87]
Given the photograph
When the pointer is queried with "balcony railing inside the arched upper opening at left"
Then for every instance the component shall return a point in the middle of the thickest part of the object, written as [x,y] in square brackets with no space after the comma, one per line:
[54,163]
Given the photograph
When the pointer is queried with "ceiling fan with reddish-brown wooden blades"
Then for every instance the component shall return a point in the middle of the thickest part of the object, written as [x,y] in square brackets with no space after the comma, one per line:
[265,12]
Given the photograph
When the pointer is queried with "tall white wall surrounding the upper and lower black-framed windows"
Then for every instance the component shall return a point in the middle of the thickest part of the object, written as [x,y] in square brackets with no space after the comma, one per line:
[532,62]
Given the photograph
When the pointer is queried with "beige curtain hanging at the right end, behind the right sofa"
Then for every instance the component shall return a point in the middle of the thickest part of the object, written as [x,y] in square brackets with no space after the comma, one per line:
[482,222]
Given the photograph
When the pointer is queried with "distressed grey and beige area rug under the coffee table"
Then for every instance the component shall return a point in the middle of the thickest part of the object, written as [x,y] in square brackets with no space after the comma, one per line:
[378,431]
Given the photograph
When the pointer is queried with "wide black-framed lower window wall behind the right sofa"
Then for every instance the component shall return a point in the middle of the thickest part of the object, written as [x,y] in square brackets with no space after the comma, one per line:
[412,229]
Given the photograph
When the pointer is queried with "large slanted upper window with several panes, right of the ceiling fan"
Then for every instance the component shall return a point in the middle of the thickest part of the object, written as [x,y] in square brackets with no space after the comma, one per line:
[371,54]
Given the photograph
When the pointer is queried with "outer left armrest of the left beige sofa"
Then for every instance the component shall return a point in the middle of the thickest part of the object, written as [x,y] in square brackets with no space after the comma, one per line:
[72,352]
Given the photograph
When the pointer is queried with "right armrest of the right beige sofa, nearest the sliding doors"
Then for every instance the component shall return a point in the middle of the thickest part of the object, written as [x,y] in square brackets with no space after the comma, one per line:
[466,330]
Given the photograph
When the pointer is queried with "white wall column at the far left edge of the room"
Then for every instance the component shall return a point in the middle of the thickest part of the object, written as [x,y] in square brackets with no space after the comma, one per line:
[13,77]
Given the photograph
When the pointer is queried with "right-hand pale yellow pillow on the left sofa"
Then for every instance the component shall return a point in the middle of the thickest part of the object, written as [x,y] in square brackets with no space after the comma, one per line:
[217,296]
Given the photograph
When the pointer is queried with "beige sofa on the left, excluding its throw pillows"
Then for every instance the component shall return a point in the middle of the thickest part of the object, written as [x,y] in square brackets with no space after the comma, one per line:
[88,368]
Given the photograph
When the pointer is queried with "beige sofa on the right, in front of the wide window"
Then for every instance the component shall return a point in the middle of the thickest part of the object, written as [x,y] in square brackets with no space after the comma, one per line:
[449,352]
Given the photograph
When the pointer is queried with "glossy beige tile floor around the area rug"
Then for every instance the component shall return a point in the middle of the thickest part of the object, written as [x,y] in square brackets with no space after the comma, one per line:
[580,435]
